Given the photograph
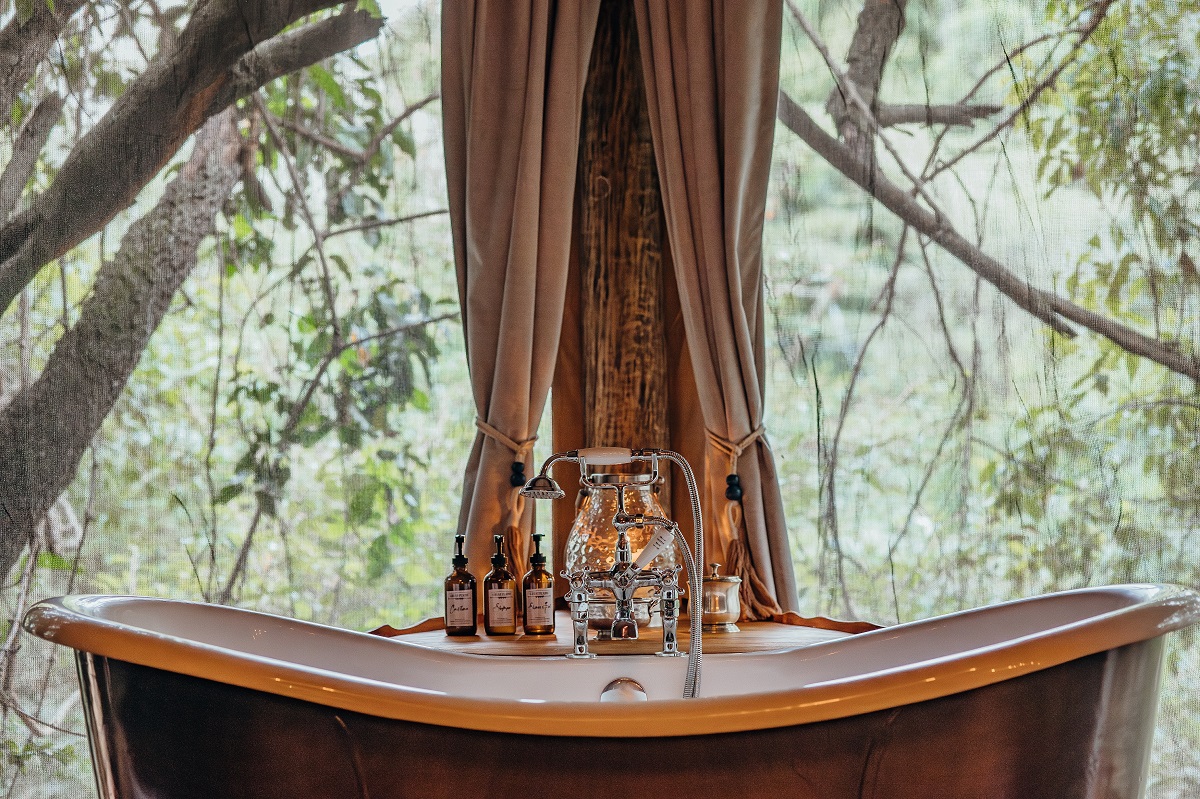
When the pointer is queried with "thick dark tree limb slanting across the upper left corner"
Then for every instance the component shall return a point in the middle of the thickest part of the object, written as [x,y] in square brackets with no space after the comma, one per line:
[148,124]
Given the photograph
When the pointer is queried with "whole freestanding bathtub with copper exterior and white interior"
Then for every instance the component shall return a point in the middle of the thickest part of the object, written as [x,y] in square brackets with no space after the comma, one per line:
[1052,698]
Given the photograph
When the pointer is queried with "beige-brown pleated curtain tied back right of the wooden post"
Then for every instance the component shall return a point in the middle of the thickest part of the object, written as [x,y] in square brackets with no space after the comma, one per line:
[712,82]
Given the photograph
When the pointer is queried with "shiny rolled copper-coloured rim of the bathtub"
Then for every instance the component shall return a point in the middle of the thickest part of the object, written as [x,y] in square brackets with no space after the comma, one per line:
[1153,611]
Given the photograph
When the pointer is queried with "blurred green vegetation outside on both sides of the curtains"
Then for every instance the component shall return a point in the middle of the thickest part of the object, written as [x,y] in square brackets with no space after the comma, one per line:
[293,437]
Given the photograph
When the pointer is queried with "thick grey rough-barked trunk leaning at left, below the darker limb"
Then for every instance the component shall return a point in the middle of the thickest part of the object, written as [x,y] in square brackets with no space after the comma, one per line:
[47,429]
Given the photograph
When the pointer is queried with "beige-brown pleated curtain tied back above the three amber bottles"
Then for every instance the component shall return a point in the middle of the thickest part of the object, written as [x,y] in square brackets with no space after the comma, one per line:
[513,87]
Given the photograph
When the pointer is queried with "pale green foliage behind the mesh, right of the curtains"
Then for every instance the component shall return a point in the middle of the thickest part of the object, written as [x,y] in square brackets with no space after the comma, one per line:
[977,456]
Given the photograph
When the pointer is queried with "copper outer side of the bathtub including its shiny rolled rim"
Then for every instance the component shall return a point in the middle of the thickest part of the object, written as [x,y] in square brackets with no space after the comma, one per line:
[1058,729]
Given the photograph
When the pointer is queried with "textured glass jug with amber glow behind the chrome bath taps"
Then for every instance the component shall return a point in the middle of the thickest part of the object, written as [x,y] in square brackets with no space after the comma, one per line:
[592,543]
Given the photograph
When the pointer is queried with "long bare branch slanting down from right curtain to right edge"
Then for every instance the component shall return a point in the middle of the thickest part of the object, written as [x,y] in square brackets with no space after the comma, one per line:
[1045,305]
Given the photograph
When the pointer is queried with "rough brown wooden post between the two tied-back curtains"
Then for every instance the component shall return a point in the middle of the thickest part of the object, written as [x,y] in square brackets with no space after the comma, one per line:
[621,227]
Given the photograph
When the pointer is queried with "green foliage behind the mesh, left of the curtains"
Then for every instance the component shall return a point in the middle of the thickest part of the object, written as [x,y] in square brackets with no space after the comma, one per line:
[292,438]
